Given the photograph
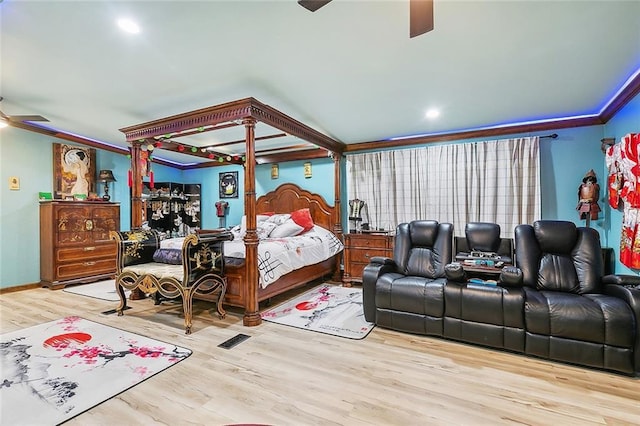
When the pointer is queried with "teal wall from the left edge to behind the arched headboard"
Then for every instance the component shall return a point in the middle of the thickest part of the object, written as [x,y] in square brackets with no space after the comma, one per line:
[29,156]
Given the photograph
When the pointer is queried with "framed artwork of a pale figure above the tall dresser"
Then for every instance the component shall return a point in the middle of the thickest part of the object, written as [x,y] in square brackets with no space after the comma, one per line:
[74,170]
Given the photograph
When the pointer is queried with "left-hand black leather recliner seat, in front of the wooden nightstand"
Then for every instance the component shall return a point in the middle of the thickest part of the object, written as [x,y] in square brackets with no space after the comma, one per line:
[406,293]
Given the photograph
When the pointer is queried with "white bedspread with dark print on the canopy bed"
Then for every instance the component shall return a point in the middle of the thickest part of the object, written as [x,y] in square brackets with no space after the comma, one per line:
[279,256]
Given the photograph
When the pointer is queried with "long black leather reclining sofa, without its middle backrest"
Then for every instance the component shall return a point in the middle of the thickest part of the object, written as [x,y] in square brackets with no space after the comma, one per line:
[553,303]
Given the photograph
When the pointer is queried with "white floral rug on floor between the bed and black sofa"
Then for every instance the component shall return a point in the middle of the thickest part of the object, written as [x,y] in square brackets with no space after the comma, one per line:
[327,309]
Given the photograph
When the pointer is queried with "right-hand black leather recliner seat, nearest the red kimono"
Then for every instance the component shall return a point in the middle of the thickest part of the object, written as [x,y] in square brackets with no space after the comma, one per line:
[572,313]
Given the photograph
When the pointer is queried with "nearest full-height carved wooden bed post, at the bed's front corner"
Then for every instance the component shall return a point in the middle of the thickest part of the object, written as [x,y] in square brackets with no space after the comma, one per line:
[251,315]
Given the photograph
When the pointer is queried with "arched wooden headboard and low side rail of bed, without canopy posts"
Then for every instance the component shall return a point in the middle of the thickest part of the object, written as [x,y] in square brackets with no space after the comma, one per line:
[285,199]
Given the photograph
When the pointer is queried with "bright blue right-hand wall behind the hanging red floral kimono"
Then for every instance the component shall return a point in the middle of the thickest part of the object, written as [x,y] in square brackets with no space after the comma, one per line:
[626,121]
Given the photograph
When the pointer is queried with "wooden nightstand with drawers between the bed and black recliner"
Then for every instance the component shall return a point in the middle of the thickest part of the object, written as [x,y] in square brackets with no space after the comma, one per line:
[358,251]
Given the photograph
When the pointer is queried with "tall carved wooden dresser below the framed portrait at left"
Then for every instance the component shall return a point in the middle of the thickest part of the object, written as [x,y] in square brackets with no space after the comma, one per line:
[74,241]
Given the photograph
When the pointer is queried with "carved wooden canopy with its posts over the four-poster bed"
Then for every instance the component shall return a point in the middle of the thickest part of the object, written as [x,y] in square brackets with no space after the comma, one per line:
[184,134]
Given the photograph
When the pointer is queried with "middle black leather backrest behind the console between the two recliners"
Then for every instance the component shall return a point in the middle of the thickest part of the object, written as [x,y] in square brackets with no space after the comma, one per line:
[484,238]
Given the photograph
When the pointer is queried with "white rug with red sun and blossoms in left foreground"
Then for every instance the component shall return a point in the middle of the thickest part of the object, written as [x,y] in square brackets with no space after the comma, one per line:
[54,371]
